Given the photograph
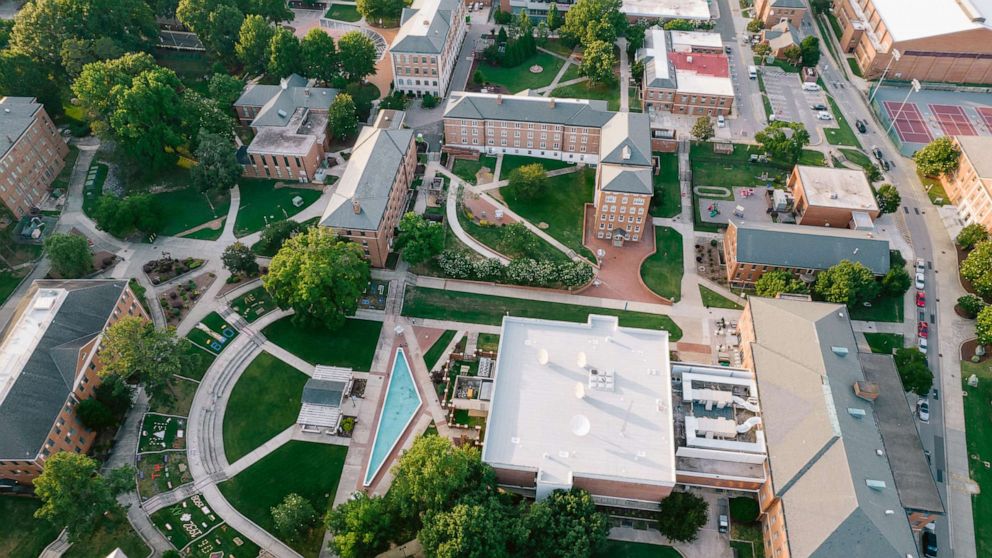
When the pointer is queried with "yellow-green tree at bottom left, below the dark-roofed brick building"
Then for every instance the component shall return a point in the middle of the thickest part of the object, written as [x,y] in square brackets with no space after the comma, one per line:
[75,495]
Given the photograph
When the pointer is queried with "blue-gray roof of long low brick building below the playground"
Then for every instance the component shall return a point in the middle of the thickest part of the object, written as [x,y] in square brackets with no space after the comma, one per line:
[804,247]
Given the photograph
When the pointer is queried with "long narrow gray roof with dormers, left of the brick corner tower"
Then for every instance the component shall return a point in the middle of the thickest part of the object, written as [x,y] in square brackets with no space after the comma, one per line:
[527,109]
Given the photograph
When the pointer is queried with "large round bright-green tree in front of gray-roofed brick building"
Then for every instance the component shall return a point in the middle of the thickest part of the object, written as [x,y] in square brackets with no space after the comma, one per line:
[318,276]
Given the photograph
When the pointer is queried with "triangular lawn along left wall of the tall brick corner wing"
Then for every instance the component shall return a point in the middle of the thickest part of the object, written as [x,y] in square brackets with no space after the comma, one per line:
[561,207]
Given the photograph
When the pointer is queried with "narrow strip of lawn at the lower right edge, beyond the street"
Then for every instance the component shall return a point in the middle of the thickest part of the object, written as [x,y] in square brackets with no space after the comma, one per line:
[978,416]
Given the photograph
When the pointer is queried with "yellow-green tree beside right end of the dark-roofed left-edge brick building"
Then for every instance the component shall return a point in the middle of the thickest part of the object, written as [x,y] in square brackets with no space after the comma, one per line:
[134,348]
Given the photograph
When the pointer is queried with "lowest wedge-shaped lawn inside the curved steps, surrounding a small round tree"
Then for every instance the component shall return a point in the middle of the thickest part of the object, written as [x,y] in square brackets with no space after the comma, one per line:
[308,469]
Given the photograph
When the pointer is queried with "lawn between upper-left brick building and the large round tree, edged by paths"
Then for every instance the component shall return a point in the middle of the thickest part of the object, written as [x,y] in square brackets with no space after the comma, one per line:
[263,203]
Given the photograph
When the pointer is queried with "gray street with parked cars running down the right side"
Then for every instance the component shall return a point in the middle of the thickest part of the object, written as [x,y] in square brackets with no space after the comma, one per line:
[931,242]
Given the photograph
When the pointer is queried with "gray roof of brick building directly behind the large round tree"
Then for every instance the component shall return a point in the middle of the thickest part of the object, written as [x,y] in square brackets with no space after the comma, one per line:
[375,161]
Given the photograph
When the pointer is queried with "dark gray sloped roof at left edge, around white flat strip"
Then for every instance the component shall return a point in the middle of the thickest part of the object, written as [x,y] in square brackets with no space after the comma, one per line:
[39,392]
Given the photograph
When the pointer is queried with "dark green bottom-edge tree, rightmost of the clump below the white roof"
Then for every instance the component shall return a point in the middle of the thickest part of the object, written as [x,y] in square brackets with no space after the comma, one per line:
[566,523]
